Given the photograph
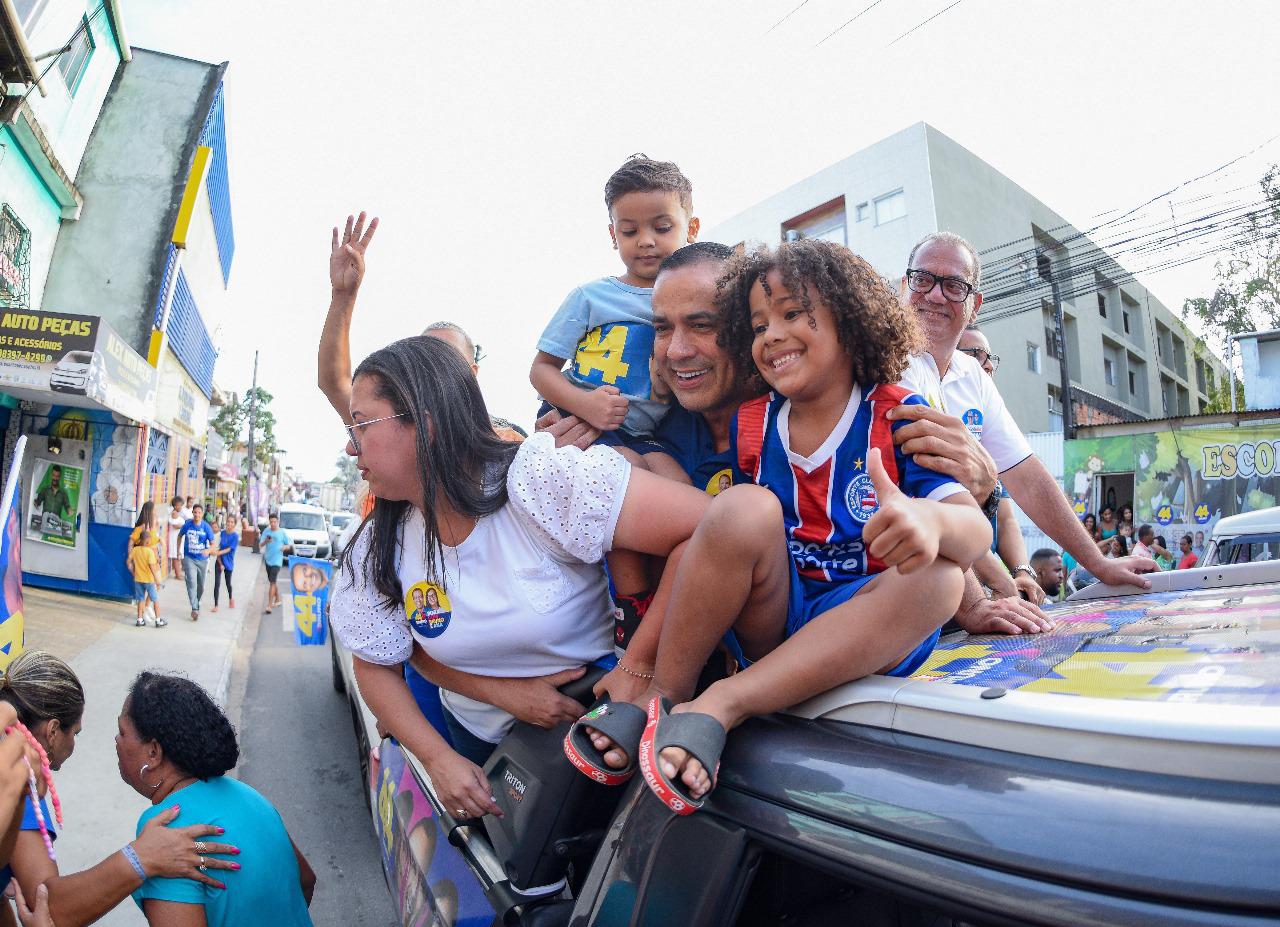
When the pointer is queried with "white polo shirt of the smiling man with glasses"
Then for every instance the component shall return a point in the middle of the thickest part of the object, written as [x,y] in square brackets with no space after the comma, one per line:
[971,395]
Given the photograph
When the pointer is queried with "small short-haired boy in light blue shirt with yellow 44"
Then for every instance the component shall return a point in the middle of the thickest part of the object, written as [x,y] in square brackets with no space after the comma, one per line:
[605,332]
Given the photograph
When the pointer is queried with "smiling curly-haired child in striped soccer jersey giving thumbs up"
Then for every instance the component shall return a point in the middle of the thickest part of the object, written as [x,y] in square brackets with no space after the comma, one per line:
[844,559]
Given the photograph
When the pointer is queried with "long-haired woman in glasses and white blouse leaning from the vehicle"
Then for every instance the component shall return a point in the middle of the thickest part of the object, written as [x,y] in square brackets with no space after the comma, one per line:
[482,554]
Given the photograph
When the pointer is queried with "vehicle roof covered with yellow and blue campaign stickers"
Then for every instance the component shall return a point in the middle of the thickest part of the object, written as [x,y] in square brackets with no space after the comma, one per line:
[1183,679]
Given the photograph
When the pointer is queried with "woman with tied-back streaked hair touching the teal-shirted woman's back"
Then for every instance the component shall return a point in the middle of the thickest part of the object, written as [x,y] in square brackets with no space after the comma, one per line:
[48,698]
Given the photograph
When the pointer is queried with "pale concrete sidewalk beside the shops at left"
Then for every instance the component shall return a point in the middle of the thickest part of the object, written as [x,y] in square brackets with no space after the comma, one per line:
[106,649]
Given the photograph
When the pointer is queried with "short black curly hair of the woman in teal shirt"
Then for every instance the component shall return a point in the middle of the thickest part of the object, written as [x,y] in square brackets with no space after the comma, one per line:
[186,721]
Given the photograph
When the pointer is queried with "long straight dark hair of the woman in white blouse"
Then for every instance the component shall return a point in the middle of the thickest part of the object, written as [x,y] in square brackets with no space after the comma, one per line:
[460,459]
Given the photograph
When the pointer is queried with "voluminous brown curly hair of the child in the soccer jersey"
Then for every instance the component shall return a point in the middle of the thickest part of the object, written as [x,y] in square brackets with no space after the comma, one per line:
[877,334]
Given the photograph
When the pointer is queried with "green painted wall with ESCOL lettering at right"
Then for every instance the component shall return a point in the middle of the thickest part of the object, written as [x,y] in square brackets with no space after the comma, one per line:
[1183,480]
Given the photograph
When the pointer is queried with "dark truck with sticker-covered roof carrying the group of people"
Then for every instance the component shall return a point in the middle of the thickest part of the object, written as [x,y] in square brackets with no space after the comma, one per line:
[1123,769]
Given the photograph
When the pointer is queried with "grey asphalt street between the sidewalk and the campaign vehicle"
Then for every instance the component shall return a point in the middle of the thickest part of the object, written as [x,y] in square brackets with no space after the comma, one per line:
[300,752]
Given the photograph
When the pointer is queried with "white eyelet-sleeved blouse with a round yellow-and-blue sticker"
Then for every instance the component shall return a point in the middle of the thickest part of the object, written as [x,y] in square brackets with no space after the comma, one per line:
[523,596]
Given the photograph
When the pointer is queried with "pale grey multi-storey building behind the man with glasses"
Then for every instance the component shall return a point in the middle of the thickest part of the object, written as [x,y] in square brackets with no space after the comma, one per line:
[1128,355]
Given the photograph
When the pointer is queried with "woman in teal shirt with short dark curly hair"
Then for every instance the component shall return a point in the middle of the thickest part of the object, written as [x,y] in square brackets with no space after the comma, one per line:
[175,746]
